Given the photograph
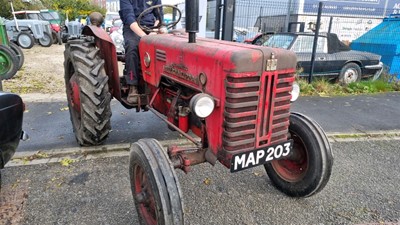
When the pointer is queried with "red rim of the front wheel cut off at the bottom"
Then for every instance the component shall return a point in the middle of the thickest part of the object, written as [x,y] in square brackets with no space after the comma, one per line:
[144,196]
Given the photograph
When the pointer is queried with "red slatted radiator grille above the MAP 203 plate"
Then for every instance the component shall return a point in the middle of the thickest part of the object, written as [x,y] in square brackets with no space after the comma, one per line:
[243,107]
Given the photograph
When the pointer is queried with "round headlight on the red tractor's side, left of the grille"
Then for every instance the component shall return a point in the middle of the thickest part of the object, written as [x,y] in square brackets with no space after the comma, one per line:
[202,105]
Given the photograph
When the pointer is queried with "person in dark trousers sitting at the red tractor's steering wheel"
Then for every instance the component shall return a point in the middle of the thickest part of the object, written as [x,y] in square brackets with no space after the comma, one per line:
[129,11]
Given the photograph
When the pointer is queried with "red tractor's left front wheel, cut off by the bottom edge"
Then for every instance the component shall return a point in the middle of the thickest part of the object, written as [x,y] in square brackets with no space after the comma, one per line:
[154,184]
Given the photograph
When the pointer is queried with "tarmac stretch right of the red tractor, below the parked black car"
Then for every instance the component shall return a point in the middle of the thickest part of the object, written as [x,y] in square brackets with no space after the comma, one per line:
[353,114]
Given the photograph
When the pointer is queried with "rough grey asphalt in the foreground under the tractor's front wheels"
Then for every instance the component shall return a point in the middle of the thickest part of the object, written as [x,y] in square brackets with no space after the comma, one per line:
[363,189]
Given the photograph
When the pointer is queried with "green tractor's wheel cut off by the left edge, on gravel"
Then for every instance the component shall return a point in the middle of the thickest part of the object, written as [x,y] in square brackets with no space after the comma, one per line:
[8,62]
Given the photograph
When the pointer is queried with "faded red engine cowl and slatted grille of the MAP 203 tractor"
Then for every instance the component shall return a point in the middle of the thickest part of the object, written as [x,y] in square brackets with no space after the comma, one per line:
[243,92]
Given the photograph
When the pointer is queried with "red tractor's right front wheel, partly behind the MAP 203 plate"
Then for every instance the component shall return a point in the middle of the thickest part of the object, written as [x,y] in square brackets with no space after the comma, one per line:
[309,166]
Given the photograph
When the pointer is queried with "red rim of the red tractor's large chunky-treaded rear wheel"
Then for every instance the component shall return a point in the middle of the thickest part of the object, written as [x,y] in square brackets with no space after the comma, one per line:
[74,100]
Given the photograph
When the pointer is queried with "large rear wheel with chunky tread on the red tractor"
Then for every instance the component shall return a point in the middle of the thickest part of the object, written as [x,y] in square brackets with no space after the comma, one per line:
[87,92]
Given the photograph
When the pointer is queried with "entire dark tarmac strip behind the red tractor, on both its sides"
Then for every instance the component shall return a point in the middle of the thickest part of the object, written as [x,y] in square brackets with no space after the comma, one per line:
[48,124]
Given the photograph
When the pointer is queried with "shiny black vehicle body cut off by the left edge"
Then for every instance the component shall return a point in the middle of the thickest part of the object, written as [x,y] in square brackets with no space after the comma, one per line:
[11,115]
